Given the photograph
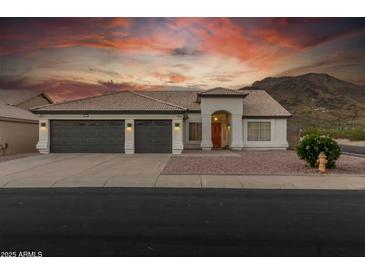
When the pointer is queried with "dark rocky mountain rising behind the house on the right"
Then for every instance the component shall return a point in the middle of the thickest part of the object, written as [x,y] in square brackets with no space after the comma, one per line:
[317,100]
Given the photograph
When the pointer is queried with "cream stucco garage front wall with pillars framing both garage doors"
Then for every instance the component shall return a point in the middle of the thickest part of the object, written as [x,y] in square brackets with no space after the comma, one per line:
[43,144]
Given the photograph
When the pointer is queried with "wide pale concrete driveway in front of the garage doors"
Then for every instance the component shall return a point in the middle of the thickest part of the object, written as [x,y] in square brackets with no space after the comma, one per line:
[77,170]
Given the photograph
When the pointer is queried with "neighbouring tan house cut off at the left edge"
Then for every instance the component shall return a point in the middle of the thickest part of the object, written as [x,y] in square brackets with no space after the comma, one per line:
[19,126]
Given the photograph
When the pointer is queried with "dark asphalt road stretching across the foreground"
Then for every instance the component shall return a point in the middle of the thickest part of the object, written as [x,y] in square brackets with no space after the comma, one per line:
[182,222]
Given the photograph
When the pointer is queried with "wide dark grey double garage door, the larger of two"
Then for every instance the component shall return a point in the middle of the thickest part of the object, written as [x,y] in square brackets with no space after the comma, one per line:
[87,136]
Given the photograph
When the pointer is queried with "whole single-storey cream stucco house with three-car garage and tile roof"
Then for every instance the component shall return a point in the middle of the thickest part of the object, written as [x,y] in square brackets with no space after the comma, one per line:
[164,122]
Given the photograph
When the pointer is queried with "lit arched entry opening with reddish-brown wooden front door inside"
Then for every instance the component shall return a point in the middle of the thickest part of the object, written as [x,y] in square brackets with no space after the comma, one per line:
[221,129]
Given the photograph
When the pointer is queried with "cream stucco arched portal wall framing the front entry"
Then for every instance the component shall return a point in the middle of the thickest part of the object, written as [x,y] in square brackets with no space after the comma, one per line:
[234,106]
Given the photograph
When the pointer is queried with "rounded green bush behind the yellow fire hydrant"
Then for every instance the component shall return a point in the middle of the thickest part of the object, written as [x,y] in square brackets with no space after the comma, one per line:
[311,145]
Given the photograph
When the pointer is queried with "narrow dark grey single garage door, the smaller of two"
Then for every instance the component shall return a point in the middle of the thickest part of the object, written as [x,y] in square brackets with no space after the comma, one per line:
[153,136]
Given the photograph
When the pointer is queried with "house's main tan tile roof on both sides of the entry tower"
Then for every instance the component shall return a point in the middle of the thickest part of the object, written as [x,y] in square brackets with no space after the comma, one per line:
[256,103]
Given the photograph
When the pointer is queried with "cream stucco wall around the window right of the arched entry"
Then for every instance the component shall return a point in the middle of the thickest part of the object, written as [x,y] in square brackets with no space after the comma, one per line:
[278,135]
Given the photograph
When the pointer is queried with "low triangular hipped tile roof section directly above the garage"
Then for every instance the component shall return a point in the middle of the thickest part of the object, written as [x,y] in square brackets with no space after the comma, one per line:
[116,101]
